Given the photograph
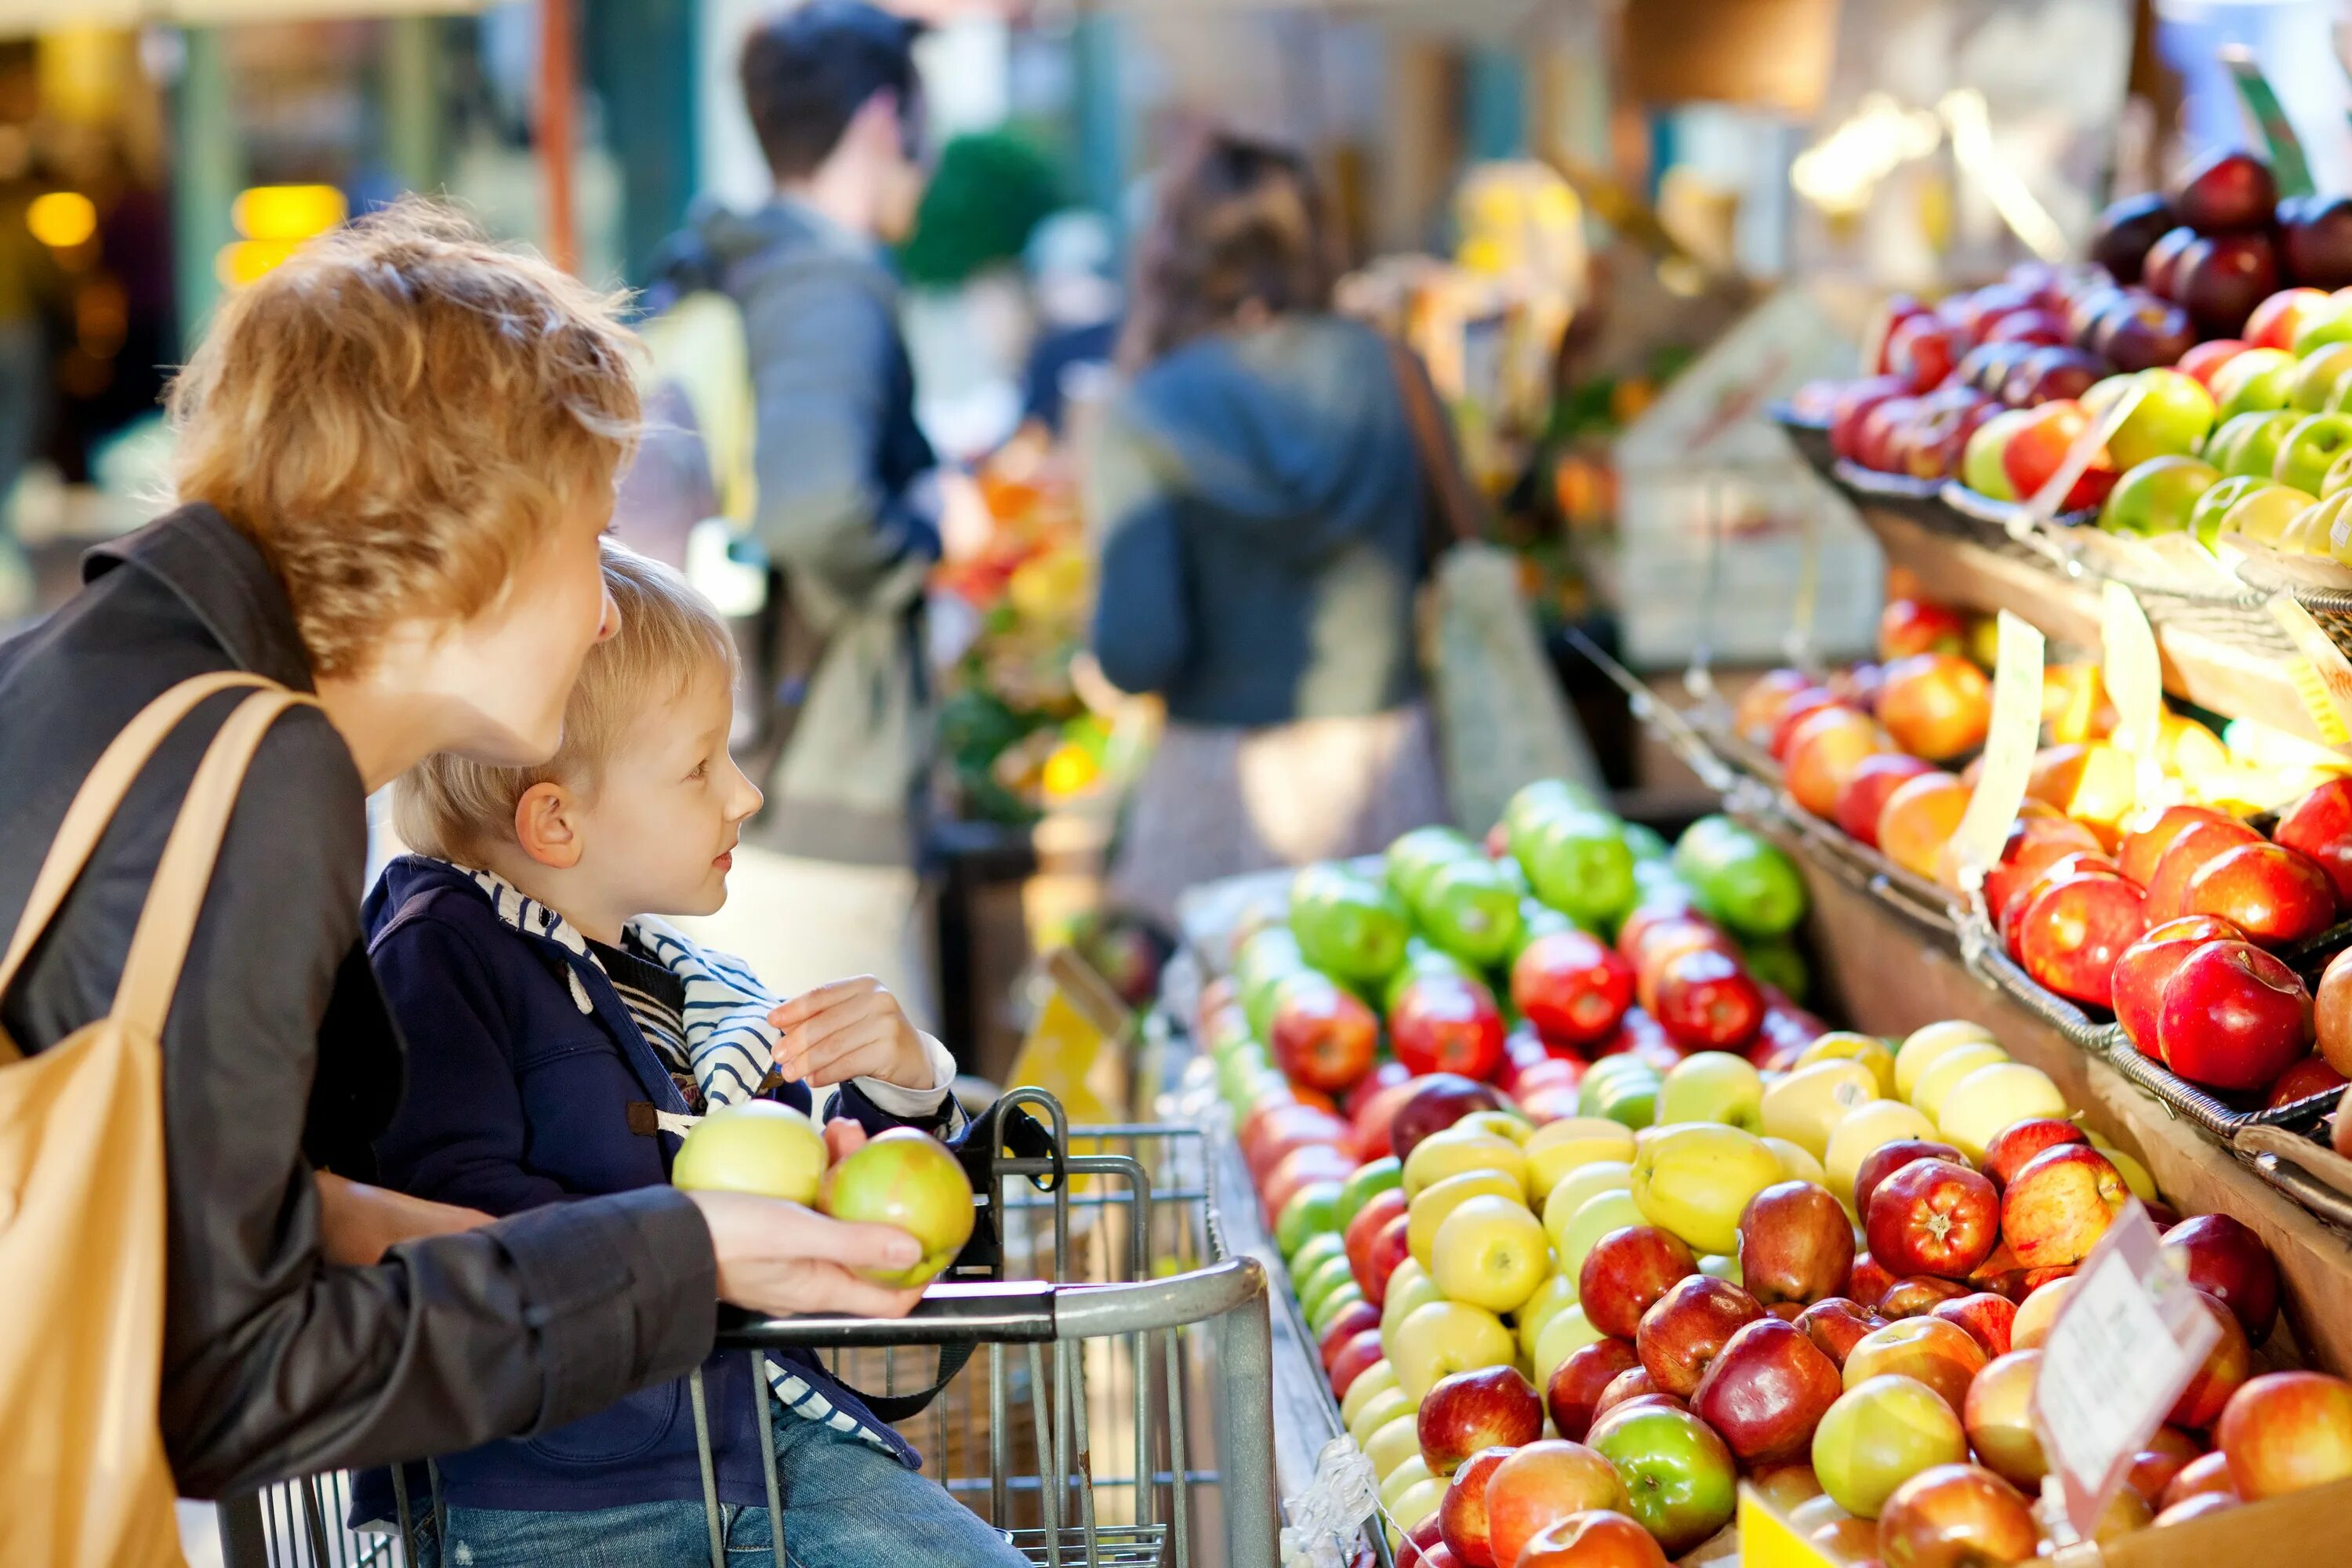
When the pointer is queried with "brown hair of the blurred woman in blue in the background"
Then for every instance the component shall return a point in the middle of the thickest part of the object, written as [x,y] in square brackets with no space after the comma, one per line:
[1238,222]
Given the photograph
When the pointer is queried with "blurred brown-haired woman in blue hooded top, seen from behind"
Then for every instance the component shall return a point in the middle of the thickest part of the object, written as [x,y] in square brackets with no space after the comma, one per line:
[1264,516]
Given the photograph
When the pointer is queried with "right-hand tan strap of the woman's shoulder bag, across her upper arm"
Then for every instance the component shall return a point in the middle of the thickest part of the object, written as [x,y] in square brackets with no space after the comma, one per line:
[178,894]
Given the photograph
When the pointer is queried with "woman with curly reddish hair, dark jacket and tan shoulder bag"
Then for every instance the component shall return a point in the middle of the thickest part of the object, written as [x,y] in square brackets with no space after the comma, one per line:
[368,565]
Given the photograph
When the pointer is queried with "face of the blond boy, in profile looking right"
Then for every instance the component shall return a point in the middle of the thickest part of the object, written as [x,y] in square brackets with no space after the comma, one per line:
[660,833]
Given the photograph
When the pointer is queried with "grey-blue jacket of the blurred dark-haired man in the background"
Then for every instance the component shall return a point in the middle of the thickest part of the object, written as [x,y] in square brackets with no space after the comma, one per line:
[848,514]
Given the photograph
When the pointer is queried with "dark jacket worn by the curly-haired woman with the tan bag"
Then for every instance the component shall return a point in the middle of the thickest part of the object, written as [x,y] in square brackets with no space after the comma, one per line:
[281,1057]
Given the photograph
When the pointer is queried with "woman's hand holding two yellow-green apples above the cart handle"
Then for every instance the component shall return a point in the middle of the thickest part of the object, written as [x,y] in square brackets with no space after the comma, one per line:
[784,1259]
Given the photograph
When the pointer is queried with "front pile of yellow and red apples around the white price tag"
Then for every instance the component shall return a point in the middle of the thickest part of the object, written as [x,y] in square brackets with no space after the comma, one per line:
[1565,1343]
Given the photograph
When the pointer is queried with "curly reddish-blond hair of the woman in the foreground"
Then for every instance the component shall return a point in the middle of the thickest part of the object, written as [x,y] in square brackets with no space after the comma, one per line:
[396,415]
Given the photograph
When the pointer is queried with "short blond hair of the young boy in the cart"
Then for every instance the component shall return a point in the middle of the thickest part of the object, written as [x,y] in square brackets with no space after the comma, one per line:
[669,641]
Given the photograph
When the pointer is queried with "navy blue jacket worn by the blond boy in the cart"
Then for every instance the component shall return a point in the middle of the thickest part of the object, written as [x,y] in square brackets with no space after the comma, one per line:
[519,1099]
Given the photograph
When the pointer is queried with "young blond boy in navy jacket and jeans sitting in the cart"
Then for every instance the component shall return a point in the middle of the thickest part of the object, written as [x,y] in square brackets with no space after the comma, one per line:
[561,1038]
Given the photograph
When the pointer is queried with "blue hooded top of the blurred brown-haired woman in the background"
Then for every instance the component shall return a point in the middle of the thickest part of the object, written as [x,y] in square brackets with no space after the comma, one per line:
[1262,518]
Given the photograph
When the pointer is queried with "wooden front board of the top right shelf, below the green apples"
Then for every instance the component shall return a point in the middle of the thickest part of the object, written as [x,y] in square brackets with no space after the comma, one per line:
[2198,669]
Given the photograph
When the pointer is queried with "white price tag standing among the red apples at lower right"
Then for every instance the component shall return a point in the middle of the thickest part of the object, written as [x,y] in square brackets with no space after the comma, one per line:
[2127,1341]
